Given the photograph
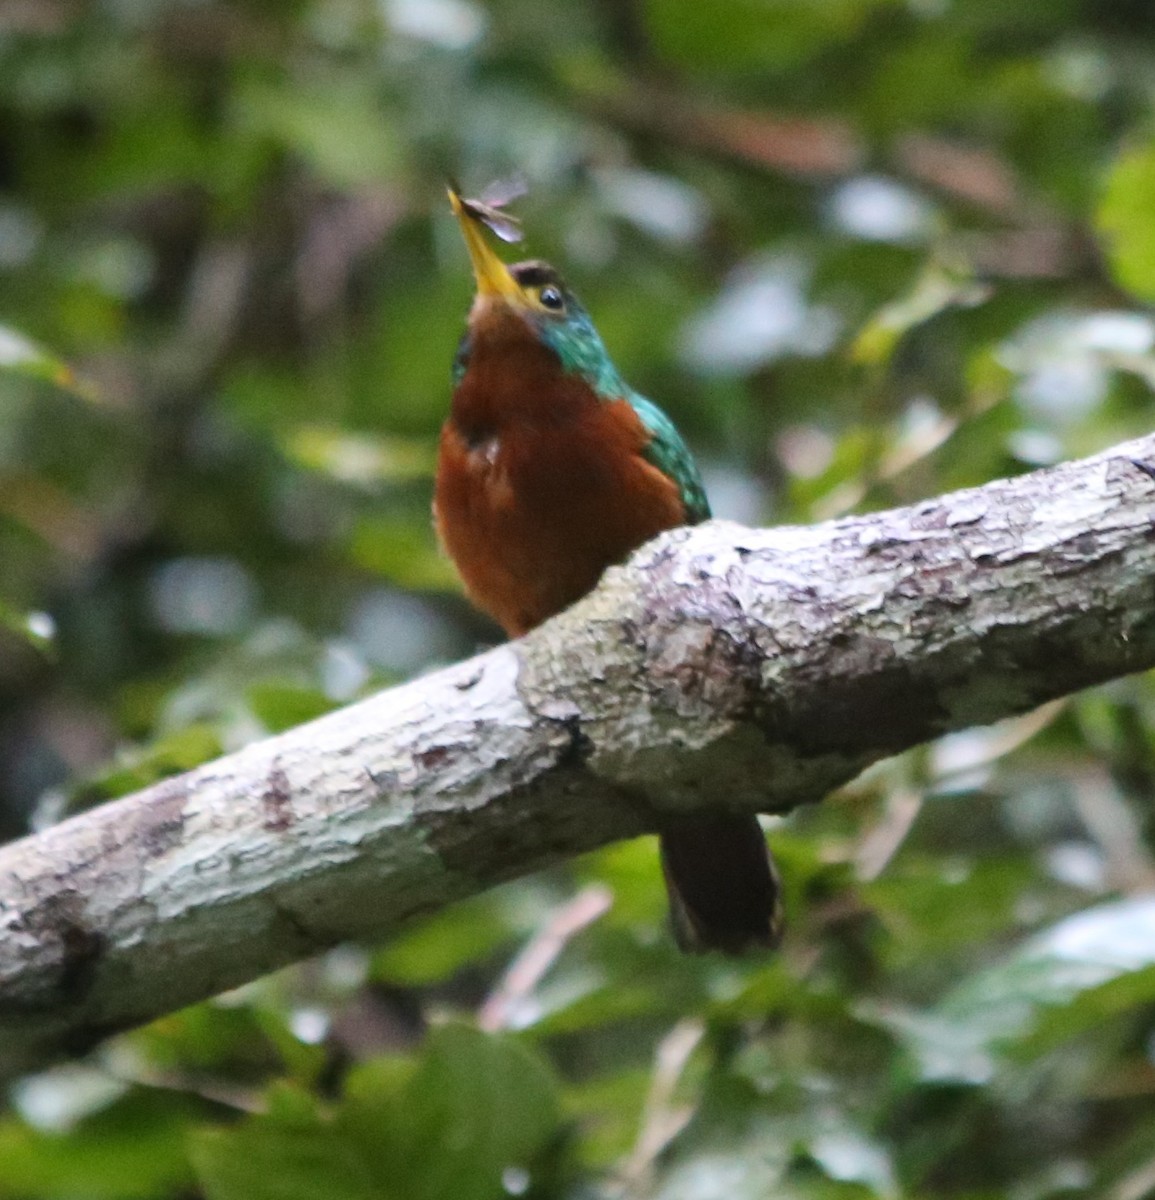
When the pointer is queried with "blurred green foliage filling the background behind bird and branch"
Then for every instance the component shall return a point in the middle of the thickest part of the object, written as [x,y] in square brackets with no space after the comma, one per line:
[864,251]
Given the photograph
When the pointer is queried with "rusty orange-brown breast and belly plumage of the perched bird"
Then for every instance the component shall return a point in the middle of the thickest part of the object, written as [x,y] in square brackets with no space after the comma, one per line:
[541,484]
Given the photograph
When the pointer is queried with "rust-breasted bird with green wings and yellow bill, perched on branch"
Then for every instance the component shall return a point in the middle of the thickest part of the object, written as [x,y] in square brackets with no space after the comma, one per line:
[552,469]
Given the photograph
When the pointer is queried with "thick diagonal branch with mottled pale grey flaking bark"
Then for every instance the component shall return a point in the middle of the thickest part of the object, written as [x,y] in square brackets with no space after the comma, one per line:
[722,667]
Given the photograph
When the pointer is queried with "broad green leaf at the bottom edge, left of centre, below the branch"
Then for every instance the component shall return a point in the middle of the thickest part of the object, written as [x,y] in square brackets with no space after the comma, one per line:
[476,1107]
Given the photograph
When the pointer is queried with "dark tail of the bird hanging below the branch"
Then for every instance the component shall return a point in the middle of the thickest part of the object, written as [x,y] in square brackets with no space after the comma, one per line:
[723,885]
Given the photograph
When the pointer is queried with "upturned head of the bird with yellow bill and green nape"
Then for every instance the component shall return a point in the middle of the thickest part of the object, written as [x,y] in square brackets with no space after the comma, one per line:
[531,297]
